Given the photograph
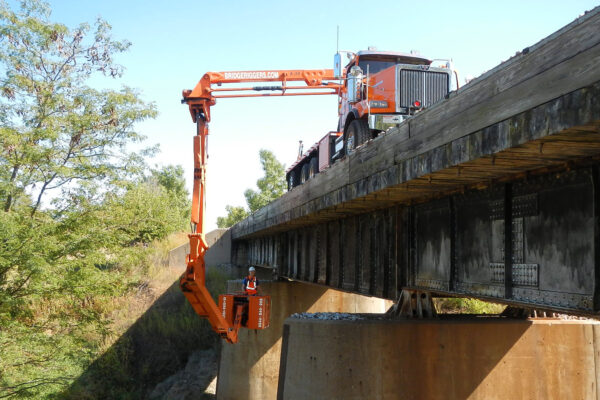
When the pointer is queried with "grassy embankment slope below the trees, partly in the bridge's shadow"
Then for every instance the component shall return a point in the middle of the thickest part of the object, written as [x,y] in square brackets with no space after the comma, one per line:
[147,332]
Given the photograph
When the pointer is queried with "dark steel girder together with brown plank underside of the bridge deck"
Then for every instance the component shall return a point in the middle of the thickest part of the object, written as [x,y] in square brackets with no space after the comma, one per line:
[456,243]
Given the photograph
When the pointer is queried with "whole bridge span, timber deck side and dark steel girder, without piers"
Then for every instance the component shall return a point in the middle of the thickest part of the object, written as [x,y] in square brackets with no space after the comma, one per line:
[493,193]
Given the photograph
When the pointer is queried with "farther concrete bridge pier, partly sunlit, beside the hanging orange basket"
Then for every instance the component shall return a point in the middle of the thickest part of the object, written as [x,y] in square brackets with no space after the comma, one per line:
[250,368]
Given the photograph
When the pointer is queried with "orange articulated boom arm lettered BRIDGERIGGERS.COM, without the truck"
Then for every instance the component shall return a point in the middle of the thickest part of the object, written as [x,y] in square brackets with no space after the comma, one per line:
[199,101]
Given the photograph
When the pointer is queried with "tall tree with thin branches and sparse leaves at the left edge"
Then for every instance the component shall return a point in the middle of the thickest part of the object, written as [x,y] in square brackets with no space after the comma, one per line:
[57,132]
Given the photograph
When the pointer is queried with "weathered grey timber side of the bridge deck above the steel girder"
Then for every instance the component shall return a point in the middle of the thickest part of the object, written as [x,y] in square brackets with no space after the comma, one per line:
[426,151]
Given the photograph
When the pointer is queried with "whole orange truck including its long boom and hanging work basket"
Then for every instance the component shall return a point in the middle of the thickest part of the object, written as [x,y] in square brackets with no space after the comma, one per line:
[376,90]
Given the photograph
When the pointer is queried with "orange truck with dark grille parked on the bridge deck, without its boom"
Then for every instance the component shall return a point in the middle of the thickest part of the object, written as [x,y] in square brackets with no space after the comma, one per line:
[380,90]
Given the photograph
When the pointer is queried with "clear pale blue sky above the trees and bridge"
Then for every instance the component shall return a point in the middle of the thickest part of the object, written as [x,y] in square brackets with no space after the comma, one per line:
[175,42]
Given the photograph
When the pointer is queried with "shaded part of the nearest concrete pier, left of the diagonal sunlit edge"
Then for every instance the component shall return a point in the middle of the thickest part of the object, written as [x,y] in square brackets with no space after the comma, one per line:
[445,358]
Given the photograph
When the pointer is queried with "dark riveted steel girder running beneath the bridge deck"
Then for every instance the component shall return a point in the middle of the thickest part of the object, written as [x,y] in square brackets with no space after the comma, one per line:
[457,245]
